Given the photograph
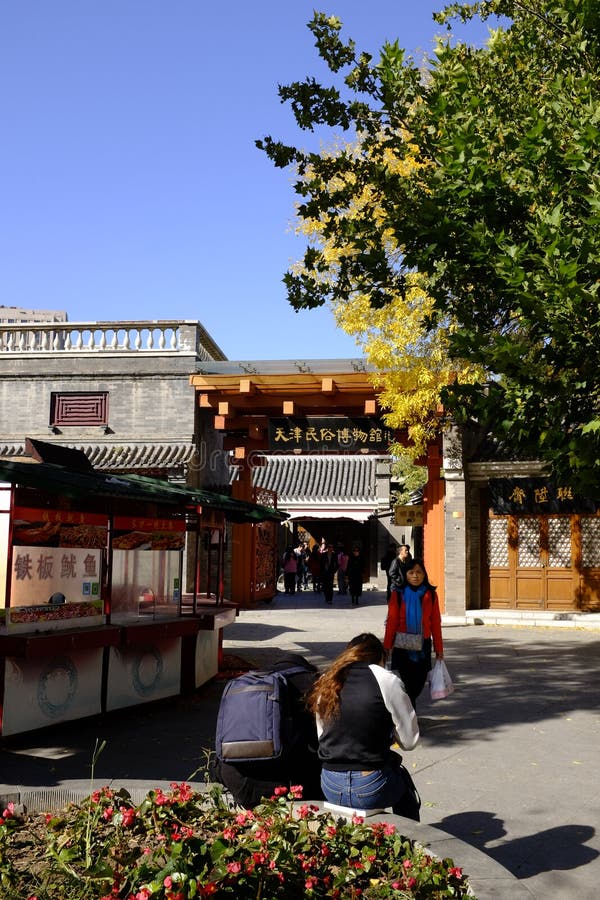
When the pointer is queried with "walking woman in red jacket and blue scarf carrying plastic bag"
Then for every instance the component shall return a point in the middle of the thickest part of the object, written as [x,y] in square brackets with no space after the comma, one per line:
[415,610]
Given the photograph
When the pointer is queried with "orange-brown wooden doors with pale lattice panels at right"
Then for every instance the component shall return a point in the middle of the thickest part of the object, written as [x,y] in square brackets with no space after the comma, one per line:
[543,562]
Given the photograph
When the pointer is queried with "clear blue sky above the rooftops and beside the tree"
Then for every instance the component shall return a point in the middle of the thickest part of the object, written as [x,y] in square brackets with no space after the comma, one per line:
[130,185]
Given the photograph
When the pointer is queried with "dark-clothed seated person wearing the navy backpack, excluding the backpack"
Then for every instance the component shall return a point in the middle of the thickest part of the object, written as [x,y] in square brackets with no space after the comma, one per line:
[252,780]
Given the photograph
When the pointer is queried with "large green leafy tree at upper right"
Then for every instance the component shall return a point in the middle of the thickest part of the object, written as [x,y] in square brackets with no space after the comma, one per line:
[499,212]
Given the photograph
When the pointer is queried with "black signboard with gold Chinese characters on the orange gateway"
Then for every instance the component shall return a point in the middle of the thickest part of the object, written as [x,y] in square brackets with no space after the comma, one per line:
[326,434]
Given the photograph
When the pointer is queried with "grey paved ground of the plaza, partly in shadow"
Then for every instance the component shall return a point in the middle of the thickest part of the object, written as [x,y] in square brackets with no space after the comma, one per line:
[508,763]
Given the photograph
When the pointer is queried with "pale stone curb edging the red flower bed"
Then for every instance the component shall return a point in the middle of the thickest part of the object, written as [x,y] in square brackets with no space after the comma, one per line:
[487,878]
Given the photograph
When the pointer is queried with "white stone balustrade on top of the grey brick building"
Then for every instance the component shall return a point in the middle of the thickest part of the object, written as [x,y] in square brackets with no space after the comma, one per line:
[162,335]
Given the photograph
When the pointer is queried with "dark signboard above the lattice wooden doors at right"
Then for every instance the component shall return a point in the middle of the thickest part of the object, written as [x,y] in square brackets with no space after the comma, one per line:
[514,496]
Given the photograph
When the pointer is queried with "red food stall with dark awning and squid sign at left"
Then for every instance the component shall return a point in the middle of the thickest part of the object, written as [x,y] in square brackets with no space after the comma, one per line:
[93,615]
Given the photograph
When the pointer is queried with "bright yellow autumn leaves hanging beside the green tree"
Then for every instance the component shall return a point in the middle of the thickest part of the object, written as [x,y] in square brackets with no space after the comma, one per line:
[410,358]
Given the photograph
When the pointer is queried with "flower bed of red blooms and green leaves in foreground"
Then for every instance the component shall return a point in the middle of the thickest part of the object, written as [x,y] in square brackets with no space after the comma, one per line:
[180,844]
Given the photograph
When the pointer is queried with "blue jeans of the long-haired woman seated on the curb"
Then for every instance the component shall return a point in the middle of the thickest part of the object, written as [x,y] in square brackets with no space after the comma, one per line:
[378,789]
